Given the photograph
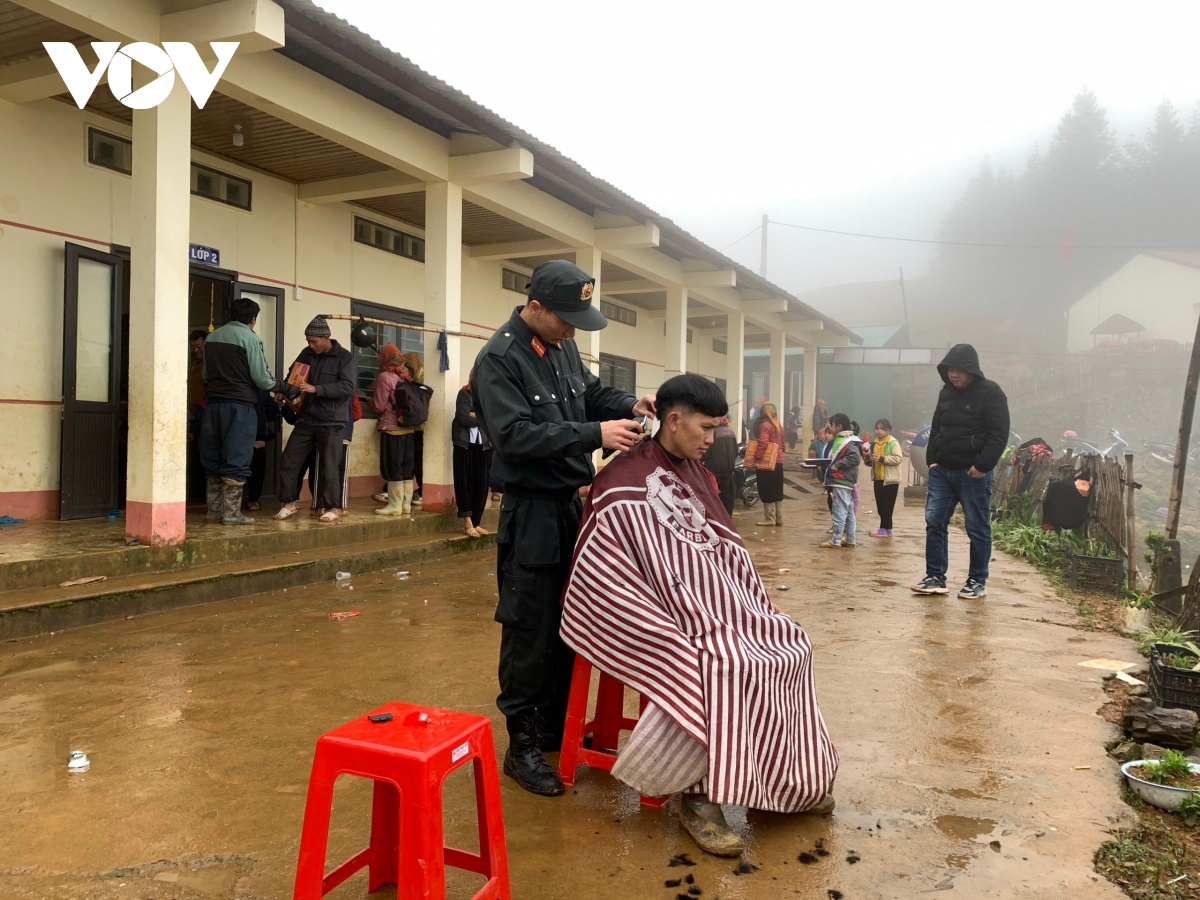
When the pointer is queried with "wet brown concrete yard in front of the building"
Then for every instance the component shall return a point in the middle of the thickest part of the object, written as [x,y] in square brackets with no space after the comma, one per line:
[961,727]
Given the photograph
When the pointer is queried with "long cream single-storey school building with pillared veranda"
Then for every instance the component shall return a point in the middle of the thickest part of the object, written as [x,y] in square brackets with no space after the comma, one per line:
[325,175]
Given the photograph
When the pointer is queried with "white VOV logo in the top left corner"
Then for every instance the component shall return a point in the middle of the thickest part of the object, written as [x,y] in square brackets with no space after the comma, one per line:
[173,57]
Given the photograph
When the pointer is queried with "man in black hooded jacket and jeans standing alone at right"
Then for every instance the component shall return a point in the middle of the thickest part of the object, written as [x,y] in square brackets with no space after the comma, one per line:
[967,441]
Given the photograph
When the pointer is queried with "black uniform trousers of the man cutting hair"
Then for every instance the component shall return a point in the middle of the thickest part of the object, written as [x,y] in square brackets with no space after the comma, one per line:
[535,544]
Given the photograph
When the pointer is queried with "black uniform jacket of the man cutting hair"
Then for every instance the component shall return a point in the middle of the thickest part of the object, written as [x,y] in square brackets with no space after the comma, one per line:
[542,409]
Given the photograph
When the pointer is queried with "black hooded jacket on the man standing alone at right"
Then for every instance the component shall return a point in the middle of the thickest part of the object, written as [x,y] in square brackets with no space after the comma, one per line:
[970,424]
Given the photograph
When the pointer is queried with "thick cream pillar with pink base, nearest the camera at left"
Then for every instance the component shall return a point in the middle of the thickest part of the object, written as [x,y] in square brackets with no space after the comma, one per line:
[157,487]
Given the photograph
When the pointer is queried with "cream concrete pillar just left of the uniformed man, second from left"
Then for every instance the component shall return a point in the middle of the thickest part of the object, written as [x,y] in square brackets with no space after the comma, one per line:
[443,309]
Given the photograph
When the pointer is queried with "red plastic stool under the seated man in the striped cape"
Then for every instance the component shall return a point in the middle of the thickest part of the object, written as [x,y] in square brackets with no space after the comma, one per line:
[605,729]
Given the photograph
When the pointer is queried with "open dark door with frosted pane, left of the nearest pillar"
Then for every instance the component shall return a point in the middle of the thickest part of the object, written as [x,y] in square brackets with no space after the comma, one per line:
[89,463]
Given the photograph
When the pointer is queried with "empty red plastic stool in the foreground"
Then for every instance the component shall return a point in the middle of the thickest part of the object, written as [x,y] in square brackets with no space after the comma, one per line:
[409,760]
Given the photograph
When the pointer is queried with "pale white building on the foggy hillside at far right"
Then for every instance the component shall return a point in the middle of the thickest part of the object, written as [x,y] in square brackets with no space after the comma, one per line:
[1154,299]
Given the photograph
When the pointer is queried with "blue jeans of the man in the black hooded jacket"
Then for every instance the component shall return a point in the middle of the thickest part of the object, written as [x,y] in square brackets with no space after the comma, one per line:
[946,490]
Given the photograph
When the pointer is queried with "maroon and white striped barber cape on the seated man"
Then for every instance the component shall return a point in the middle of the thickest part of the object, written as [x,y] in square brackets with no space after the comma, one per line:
[664,597]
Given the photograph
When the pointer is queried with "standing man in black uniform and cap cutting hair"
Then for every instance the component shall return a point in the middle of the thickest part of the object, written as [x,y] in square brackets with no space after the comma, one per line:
[544,412]
